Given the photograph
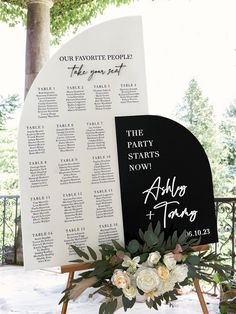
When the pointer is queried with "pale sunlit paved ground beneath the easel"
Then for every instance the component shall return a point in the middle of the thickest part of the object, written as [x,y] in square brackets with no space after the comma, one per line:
[38,292]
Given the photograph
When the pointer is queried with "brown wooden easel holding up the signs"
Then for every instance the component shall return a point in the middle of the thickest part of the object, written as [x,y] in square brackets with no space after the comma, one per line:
[71,269]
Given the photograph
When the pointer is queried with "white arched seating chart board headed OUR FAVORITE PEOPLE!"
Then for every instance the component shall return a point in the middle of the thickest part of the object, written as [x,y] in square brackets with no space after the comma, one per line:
[70,191]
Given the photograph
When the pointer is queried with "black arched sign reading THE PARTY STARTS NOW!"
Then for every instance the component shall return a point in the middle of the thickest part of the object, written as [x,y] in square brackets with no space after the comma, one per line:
[164,176]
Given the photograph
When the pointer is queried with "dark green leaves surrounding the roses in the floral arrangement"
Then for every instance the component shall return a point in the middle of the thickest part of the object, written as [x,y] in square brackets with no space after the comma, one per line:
[151,240]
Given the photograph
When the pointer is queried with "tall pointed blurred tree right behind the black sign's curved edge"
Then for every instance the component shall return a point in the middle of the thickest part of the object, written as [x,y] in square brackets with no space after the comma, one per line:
[196,114]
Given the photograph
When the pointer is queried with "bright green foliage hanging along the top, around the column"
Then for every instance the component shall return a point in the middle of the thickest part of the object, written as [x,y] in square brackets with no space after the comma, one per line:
[65,14]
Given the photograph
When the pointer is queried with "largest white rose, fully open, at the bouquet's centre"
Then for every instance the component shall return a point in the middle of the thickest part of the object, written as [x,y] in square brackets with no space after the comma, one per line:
[147,279]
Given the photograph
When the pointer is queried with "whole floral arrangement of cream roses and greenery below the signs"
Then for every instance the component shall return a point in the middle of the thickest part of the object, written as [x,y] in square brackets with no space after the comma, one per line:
[149,270]
